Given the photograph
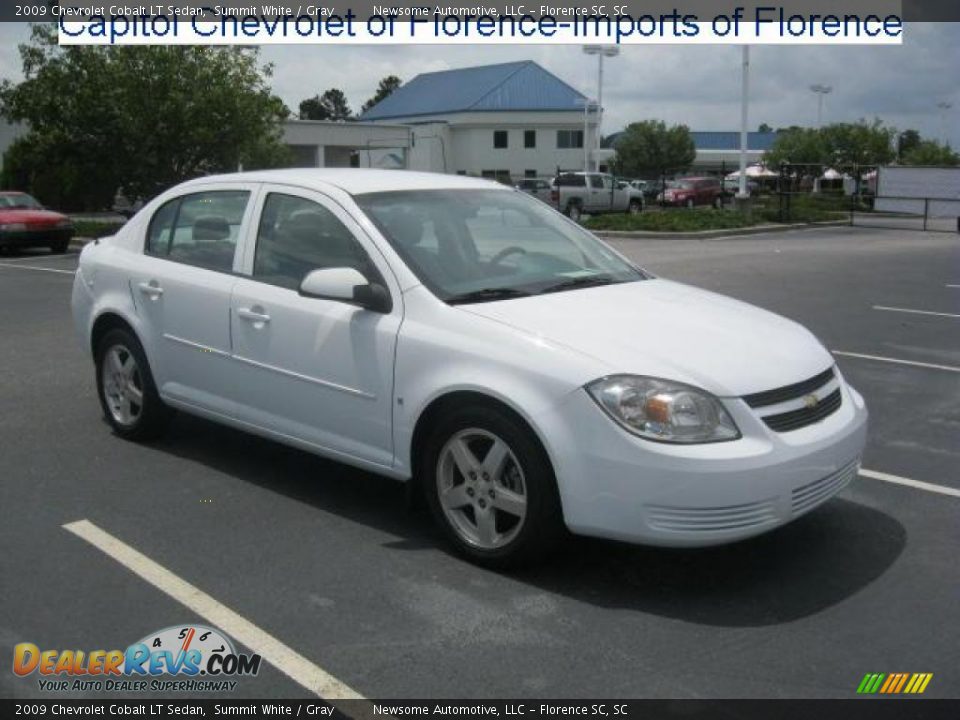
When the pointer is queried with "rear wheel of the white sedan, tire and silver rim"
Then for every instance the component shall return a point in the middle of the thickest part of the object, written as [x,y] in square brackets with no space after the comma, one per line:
[126,389]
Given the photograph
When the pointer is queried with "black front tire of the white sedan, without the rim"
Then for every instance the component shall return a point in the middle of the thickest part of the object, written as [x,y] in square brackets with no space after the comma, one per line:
[543,524]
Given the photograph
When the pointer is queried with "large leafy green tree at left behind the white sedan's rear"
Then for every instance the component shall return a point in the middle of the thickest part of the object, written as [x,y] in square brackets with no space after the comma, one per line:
[143,118]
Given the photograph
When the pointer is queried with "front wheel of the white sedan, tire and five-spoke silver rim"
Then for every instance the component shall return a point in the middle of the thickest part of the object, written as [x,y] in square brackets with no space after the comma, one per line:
[490,487]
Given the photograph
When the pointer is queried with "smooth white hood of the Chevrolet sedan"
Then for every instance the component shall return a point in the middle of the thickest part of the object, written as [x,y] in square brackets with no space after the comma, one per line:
[669,330]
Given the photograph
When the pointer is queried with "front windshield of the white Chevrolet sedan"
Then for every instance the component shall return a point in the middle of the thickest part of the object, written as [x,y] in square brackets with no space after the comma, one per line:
[482,245]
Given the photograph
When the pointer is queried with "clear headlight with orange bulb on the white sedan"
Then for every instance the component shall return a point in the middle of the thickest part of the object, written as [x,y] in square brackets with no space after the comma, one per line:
[663,410]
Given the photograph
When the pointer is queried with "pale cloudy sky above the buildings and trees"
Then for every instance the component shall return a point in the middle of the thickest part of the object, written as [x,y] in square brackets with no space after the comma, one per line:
[695,85]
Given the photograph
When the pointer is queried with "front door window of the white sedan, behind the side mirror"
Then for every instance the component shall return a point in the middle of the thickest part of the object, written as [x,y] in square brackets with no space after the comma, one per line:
[296,236]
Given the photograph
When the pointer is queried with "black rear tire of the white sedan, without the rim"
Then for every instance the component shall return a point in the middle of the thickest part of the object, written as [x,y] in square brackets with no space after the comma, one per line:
[153,414]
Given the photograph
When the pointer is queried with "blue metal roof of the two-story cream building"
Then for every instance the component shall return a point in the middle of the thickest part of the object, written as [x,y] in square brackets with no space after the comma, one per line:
[507,87]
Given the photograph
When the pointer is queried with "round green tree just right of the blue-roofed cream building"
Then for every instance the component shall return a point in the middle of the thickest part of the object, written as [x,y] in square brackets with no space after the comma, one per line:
[651,148]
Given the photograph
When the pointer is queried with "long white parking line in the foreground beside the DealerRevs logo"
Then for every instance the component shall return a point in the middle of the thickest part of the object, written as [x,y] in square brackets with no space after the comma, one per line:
[284,658]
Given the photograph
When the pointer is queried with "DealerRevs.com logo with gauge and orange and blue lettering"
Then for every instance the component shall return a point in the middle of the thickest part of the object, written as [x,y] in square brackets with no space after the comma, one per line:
[187,658]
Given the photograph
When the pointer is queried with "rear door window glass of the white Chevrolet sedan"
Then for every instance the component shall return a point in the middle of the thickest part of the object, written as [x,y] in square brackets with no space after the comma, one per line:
[199,229]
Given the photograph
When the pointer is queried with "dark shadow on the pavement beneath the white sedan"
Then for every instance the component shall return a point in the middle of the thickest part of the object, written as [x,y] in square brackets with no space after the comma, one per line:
[796,571]
